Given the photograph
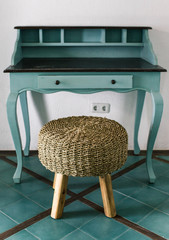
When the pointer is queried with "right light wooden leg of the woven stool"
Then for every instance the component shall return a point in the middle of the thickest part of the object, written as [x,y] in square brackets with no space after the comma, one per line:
[107,196]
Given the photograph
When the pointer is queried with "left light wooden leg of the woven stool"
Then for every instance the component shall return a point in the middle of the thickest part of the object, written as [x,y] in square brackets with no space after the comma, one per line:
[59,196]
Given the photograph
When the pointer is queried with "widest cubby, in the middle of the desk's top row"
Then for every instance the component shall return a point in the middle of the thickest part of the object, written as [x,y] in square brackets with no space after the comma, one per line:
[82,35]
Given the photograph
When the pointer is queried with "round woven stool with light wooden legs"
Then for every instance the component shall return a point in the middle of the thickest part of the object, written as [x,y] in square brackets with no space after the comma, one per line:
[82,146]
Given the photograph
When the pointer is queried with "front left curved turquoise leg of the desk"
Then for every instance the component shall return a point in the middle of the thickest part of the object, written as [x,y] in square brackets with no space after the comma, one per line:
[13,123]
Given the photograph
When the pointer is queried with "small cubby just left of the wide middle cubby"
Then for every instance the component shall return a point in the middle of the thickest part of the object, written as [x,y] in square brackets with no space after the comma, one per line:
[51,35]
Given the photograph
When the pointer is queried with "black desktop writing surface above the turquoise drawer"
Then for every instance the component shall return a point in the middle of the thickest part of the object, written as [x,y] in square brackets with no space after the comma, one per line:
[84,65]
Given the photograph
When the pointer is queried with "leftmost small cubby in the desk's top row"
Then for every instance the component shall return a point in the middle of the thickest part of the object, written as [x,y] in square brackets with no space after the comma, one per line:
[30,35]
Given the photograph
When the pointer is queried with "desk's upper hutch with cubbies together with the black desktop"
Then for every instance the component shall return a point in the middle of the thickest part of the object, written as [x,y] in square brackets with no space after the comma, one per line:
[79,48]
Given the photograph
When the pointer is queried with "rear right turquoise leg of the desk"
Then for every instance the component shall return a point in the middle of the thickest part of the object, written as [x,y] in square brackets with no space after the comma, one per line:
[139,108]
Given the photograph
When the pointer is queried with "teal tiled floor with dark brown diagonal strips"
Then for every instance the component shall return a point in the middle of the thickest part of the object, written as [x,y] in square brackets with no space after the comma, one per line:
[143,207]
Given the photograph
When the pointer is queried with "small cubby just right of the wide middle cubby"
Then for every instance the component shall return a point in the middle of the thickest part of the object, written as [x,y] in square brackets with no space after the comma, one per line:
[113,35]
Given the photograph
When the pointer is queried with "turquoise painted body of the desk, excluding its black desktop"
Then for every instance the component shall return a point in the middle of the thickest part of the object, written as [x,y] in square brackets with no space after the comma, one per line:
[80,42]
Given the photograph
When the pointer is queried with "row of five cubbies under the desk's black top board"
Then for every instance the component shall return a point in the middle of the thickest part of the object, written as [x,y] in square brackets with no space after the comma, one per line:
[82,36]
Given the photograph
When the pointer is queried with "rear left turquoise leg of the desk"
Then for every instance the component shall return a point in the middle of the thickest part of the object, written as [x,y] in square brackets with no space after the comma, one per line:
[24,106]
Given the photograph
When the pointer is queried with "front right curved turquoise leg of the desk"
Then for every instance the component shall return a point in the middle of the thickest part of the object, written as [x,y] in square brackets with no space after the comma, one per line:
[156,119]
